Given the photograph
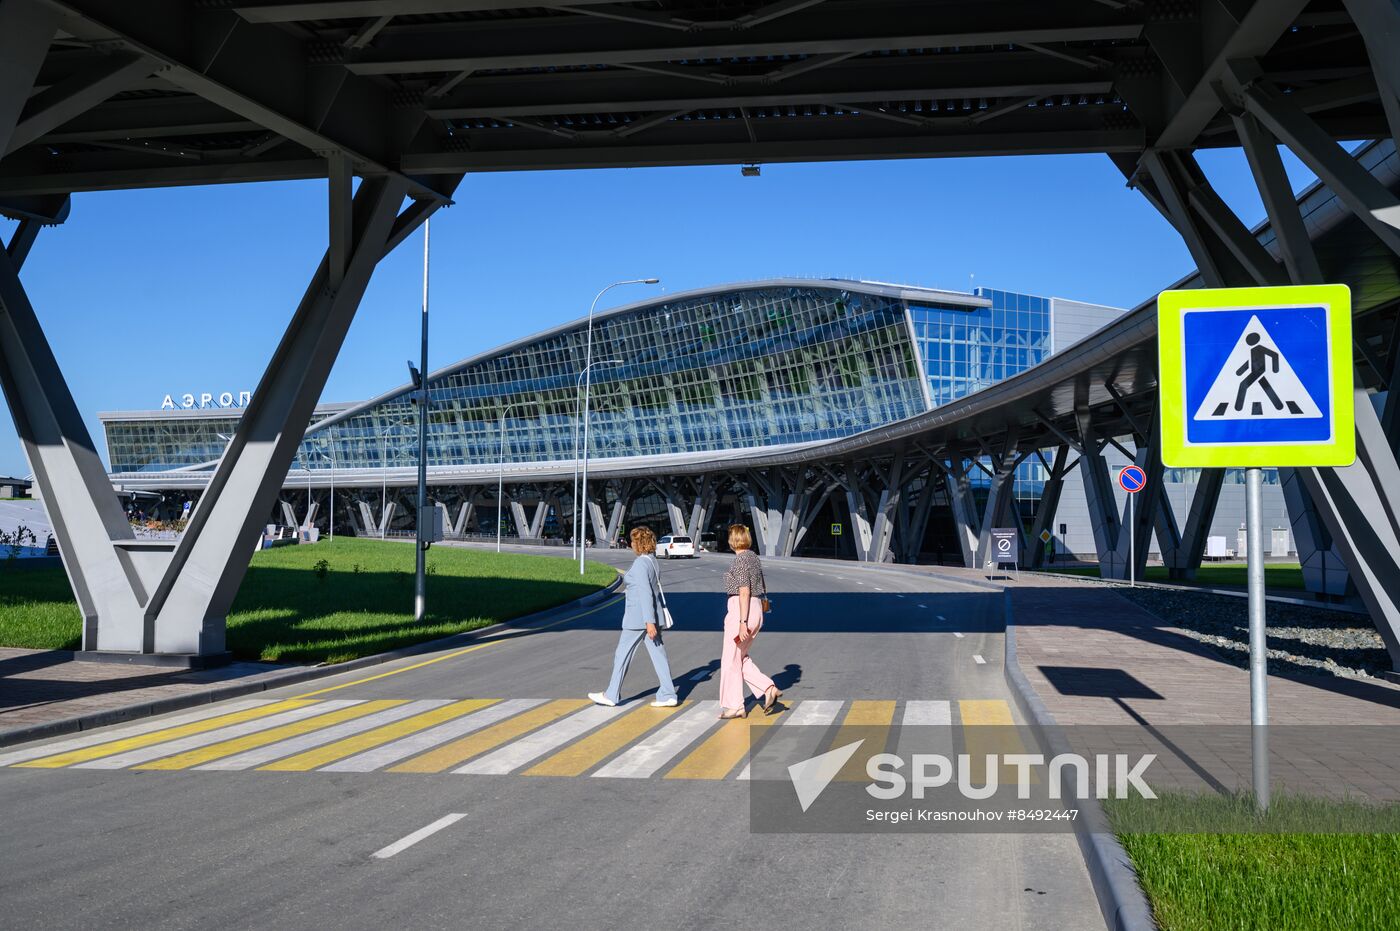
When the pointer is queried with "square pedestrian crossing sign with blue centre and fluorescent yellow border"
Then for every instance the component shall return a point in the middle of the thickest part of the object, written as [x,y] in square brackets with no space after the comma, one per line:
[1256,377]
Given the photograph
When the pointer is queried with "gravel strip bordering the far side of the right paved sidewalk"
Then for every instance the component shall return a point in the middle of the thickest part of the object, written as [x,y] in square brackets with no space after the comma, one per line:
[1300,639]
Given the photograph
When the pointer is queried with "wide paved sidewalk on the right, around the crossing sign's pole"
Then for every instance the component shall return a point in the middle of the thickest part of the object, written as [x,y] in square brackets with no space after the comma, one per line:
[1097,659]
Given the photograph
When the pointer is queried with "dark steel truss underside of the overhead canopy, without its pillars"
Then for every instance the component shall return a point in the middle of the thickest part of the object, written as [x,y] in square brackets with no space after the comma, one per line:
[199,92]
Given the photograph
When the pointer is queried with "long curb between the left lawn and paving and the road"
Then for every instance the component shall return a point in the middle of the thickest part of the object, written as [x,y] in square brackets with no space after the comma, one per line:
[276,680]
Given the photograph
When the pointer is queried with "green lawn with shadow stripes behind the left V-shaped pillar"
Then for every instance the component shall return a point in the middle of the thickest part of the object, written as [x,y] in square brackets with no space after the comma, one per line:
[362,604]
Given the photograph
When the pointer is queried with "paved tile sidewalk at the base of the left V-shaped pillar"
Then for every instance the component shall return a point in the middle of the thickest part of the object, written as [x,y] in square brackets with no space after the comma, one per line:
[41,687]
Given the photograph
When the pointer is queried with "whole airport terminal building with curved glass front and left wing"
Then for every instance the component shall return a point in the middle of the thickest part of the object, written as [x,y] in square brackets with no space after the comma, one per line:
[705,376]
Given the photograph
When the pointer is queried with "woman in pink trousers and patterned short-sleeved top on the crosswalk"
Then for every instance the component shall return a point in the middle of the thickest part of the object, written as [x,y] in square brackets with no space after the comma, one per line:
[748,594]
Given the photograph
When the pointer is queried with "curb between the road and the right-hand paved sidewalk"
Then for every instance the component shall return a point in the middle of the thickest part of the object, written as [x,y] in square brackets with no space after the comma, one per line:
[1122,901]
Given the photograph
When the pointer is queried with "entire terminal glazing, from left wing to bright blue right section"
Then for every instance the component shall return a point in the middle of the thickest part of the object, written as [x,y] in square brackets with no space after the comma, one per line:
[730,369]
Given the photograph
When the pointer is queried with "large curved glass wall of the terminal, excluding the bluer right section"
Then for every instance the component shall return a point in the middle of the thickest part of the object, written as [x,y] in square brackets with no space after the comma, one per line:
[723,372]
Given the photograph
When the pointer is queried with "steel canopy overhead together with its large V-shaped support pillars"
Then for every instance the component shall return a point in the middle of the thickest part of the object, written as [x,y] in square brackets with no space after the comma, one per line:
[411,96]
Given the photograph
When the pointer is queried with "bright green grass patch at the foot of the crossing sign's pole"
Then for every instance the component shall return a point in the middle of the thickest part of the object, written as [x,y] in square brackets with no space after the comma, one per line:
[1270,880]
